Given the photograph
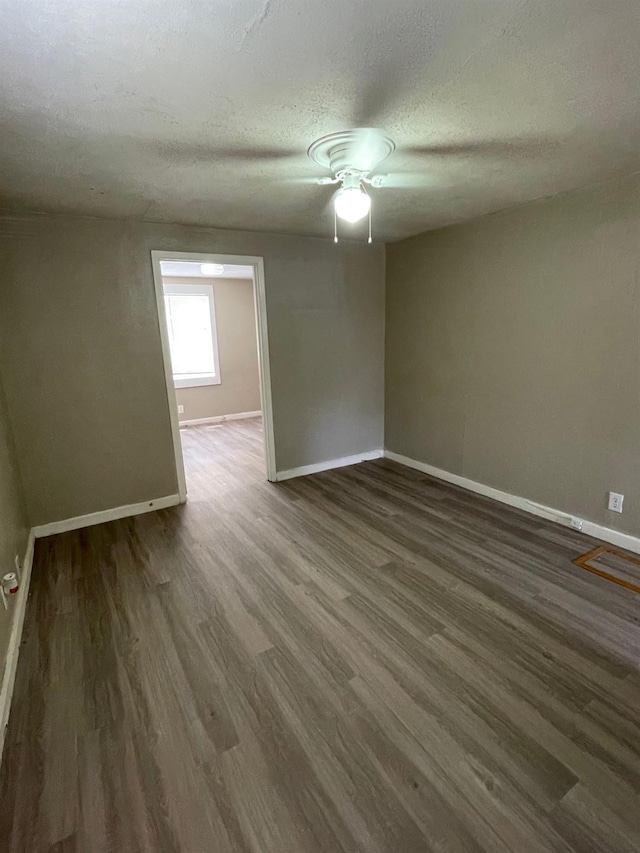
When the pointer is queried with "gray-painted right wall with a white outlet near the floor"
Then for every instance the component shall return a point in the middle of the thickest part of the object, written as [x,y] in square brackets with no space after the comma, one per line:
[513,351]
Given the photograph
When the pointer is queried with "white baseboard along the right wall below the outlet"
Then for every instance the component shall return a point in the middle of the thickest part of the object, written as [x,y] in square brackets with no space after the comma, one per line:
[581,525]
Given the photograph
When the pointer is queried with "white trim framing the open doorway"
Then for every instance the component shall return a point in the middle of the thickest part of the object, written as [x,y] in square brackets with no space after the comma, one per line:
[259,290]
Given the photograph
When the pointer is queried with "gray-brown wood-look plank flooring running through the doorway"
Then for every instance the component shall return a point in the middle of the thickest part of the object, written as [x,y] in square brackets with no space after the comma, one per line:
[365,660]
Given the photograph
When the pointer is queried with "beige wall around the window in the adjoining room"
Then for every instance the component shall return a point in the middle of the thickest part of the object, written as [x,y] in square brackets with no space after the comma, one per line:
[239,390]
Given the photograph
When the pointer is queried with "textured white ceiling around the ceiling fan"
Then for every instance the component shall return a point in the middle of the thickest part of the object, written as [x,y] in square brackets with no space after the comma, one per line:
[199,111]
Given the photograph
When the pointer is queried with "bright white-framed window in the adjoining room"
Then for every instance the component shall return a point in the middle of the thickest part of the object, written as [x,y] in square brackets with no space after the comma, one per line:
[191,323]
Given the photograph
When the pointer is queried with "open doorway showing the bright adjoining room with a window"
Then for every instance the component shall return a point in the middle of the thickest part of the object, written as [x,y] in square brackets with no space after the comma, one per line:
[213,326]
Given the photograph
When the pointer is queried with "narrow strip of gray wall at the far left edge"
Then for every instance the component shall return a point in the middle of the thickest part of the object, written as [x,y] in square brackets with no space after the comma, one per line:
[14,530]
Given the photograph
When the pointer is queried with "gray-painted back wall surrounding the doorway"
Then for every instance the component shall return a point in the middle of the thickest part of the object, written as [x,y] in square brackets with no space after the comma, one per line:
[85,383]
